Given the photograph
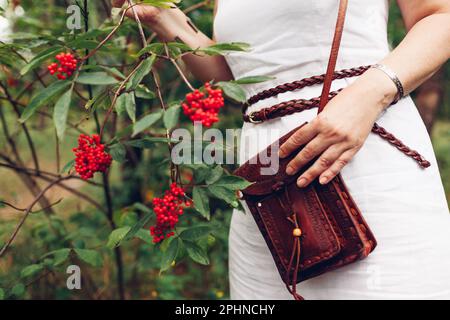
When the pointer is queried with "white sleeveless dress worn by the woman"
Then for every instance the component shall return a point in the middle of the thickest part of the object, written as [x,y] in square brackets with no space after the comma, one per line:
[404,205]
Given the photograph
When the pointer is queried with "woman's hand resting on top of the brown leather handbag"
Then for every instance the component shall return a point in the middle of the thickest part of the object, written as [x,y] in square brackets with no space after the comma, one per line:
[340,130]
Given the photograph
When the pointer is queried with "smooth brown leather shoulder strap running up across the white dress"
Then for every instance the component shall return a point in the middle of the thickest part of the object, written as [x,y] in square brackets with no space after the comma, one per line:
[324,98]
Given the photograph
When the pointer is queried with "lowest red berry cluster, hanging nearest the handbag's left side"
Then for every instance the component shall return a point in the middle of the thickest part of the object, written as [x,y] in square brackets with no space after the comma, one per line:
[167,210]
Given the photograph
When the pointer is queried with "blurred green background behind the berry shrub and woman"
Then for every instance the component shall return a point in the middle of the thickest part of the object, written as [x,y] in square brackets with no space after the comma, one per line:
[25,272]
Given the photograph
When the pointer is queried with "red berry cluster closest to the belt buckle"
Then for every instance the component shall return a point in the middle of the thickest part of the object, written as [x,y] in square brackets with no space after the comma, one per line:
[204,106]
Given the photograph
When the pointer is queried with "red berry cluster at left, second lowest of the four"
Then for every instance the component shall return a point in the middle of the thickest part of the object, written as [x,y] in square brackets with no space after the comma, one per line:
[90,156]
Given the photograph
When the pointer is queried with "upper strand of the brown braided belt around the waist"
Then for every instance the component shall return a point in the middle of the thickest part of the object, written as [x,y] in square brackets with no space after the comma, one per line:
[300,84]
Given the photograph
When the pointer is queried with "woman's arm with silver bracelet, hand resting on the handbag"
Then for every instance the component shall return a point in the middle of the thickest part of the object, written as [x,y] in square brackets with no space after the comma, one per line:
[340,130]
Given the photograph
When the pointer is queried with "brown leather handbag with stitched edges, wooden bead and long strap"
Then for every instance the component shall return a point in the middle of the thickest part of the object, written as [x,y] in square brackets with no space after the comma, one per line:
[311,230]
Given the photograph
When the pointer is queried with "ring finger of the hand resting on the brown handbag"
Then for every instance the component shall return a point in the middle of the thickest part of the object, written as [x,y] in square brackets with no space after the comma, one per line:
[322,164]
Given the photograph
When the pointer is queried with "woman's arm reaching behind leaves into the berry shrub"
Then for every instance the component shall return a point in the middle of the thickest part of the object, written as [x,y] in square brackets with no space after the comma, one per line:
[172,24]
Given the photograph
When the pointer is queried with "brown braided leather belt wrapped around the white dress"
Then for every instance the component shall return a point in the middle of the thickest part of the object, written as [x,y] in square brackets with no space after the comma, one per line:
[299,105]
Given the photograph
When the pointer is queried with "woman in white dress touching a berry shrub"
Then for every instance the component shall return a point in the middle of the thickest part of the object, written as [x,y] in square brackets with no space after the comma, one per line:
[405,206]
